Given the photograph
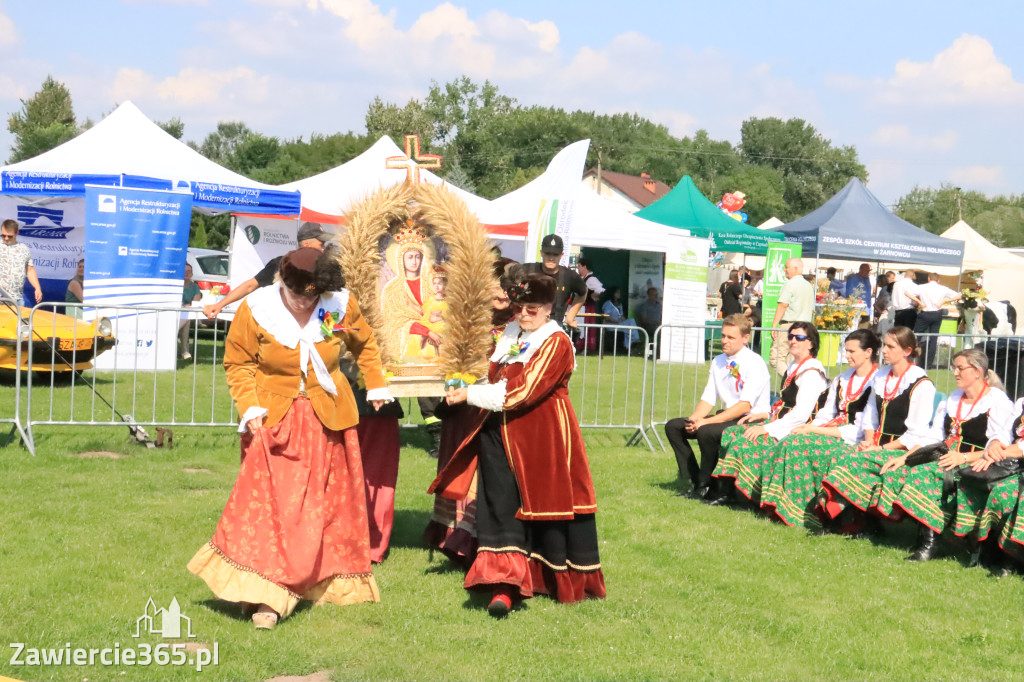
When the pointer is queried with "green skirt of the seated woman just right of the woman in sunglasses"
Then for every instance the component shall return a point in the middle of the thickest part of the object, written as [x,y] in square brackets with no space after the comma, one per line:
[793,478]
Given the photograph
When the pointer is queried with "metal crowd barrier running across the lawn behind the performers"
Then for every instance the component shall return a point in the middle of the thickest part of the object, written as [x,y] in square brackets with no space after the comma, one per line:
[625,379]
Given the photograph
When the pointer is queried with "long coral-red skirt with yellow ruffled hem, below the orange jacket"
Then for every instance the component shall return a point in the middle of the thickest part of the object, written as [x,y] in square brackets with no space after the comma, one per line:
[295,525]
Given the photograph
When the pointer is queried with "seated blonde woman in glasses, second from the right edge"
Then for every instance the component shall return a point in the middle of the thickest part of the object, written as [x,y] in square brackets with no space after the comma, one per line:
[975,415]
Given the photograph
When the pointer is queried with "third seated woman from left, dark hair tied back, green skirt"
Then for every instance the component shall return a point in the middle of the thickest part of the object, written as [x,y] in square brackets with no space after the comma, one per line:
[898,418]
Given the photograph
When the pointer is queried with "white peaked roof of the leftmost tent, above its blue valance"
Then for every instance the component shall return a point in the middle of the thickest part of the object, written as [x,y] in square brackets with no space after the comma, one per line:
[126,143]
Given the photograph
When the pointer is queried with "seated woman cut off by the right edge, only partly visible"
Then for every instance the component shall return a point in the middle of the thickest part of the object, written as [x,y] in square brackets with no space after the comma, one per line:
[1002,523]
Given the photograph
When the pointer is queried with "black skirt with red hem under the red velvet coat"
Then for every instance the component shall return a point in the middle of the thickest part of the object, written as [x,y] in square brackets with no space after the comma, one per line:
[558,559]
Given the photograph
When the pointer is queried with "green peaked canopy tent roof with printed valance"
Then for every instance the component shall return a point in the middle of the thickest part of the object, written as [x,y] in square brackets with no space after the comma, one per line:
[687,207]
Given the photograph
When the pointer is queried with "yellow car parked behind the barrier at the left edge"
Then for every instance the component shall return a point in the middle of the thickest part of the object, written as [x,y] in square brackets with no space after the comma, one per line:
[76,343]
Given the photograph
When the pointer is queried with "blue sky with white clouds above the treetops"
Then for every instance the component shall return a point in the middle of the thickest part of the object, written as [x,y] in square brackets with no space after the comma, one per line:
[928,93]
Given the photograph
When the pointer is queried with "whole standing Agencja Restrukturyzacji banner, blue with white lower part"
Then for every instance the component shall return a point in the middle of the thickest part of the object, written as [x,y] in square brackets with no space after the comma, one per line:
[137,242]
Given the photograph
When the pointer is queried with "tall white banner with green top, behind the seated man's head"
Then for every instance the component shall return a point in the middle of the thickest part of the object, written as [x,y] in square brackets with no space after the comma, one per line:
[686,300]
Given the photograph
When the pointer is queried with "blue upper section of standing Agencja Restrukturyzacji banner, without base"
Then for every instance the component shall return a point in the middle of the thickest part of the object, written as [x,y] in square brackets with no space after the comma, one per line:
[137,242]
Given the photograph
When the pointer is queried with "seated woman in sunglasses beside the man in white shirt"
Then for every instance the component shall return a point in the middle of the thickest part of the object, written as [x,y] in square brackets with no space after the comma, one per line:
[747,447]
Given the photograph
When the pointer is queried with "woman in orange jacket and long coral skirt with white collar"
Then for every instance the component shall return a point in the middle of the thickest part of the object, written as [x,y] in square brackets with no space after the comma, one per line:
[295,525]
